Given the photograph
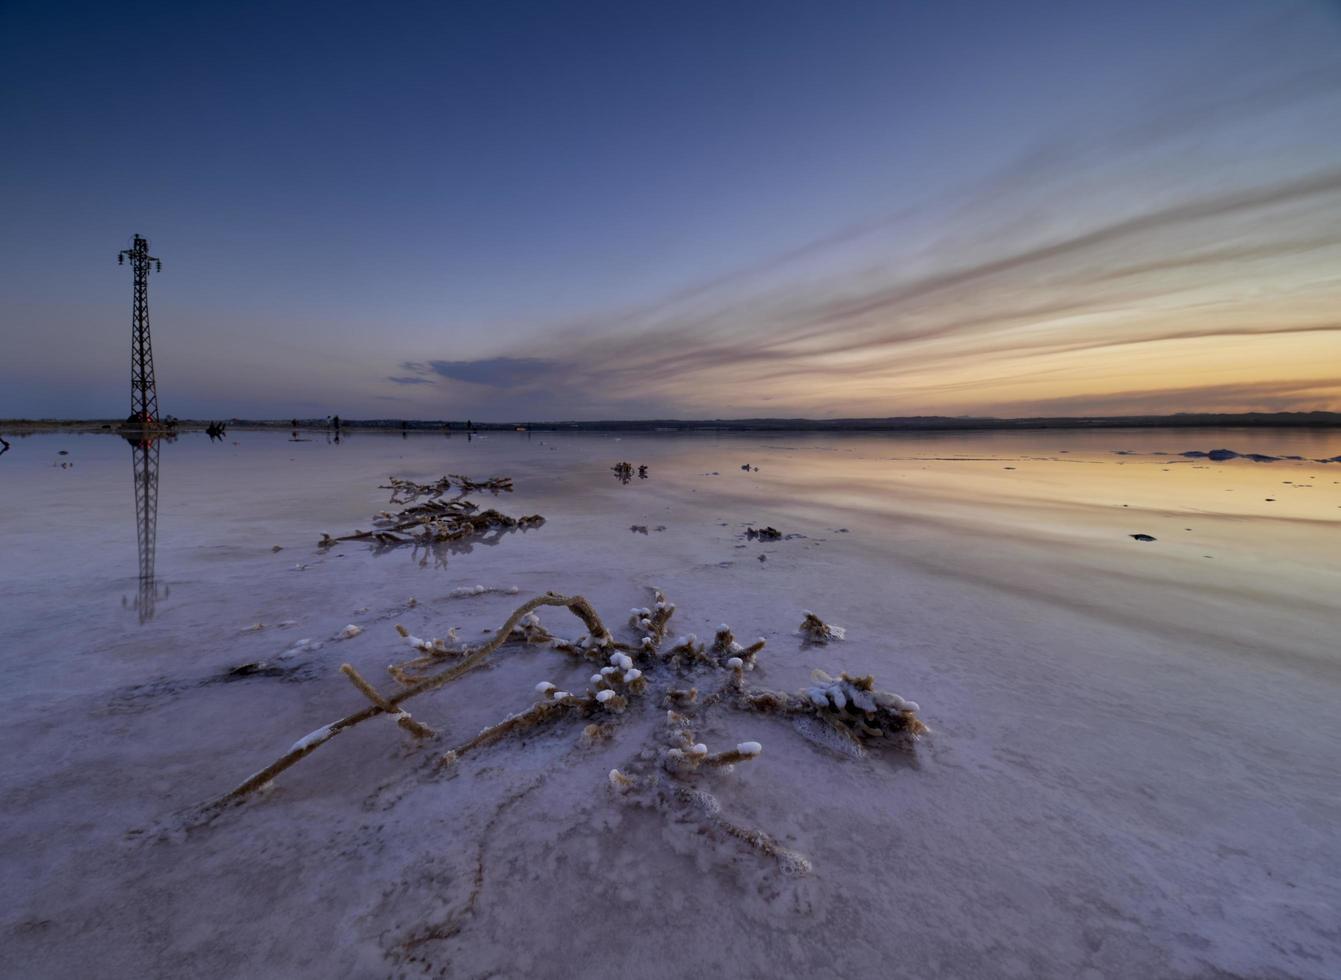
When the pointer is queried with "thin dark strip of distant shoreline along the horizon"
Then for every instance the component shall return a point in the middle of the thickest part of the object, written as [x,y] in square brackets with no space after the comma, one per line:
[1256,420]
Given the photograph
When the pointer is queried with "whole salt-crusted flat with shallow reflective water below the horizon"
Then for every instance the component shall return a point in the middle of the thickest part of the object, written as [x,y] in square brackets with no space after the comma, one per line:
[1131,770]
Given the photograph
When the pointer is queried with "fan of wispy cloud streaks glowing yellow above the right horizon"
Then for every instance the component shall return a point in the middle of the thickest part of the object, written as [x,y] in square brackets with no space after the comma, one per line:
[1009,298]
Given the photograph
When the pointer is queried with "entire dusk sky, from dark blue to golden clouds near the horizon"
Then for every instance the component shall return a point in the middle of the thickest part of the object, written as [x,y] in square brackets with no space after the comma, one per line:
[544,211]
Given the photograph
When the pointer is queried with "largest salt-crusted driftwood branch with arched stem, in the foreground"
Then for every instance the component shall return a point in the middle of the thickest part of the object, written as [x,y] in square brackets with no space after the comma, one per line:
[851,709]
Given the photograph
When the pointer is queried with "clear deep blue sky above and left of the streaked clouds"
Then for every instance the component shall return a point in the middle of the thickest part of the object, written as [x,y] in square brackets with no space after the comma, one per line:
[344,194]
